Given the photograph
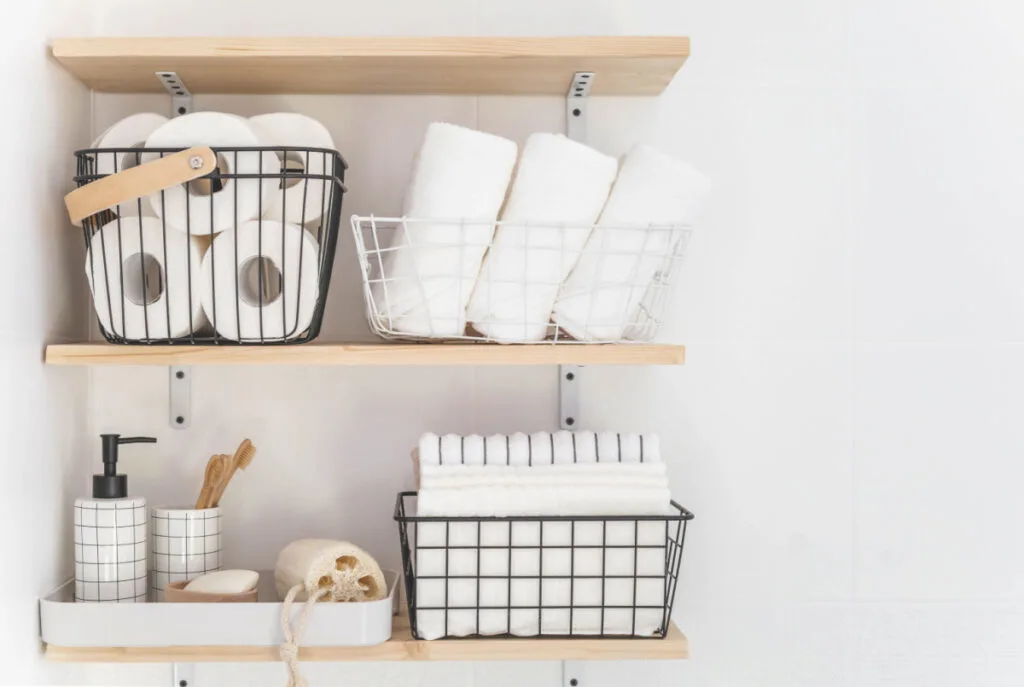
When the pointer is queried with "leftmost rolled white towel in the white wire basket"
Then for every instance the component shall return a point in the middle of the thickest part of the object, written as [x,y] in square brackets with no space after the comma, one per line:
[460,180]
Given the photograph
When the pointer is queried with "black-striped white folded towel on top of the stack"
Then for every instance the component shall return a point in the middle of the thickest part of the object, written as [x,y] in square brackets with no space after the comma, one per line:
[539,449]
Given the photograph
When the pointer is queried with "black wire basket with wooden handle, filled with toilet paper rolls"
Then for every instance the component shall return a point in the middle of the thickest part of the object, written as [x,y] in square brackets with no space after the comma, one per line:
[209,245]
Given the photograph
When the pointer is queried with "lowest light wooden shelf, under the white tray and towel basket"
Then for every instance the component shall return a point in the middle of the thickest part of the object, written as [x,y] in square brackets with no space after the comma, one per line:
[401,648]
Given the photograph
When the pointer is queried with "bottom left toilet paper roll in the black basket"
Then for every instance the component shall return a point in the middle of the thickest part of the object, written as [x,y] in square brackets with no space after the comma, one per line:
[131,252]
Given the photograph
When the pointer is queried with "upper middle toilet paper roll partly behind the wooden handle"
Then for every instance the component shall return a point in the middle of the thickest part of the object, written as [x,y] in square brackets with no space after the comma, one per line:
[205,207]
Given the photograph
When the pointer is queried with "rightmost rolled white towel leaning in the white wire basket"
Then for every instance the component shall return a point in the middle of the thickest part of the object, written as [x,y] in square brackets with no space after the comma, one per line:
[657,194]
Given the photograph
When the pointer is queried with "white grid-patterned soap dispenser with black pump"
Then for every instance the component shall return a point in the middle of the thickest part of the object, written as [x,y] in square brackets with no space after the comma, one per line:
[111,533]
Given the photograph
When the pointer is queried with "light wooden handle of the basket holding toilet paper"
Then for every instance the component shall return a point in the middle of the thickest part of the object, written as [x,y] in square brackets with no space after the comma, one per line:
[139,182]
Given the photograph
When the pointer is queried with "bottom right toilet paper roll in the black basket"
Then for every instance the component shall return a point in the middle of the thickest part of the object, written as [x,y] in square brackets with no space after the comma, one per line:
[287,256]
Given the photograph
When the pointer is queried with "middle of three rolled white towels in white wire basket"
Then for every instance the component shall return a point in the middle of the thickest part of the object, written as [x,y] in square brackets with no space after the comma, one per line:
[560,190]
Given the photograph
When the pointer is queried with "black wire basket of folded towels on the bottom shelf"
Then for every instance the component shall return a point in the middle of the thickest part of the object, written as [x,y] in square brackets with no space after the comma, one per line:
[541,577]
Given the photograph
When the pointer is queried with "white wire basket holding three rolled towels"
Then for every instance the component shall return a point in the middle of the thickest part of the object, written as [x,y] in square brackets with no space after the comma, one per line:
[462,280]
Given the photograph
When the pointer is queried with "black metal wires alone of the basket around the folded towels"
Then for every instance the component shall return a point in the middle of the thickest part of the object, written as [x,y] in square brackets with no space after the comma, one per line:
[675,536]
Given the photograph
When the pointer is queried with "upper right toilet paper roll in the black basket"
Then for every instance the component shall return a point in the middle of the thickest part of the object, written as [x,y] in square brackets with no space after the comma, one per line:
[297,201]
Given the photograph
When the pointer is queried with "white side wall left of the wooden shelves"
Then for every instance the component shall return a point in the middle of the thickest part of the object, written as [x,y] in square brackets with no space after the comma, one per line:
[42,416]
